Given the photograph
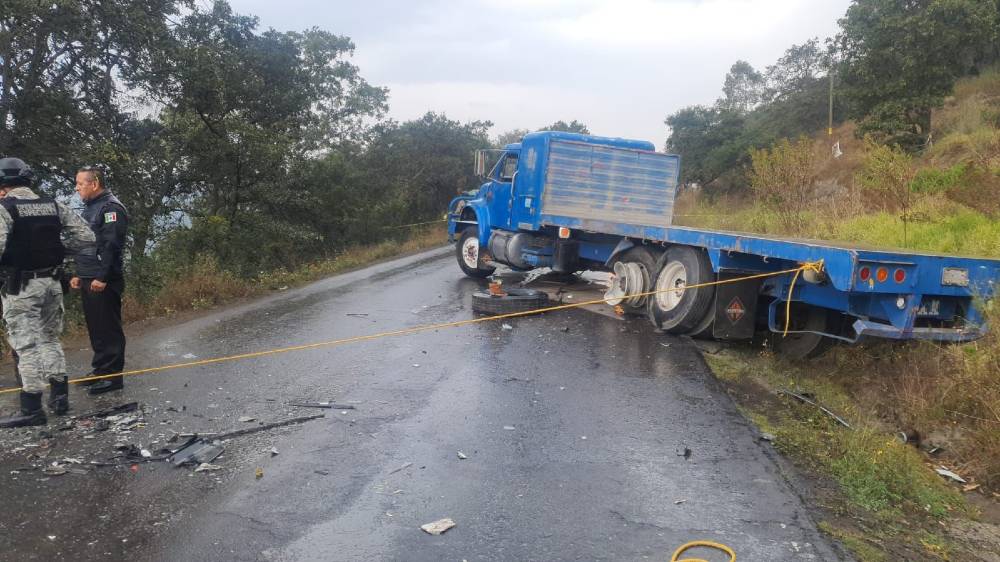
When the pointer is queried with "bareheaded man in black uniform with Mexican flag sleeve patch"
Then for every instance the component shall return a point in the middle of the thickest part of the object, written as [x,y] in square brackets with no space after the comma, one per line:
[100,278]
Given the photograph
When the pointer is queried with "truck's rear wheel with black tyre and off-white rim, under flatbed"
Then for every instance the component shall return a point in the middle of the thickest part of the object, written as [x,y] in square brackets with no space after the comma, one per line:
[680,312]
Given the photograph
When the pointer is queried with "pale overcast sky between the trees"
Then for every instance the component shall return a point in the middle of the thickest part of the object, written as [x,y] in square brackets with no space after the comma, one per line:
[620,66]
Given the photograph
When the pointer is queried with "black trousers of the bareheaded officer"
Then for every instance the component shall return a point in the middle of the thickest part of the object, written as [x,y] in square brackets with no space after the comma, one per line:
[103,313]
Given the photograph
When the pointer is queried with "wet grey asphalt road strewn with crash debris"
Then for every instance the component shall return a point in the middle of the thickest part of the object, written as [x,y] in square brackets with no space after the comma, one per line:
[574,426]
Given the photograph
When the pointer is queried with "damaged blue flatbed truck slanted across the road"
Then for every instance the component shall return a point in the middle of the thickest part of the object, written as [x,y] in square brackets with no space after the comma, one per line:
[575,202]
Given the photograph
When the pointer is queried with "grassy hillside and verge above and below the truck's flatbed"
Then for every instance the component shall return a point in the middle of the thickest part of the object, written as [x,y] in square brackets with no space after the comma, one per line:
[878,495]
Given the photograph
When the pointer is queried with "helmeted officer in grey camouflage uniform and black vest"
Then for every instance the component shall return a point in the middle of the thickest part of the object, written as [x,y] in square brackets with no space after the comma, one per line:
[32,233]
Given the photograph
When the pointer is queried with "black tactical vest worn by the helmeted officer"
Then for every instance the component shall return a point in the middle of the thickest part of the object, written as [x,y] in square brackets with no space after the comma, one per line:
[35,240]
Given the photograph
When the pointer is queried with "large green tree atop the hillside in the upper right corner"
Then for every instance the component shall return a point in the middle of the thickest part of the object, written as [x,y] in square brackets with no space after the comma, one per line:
[900,59]
